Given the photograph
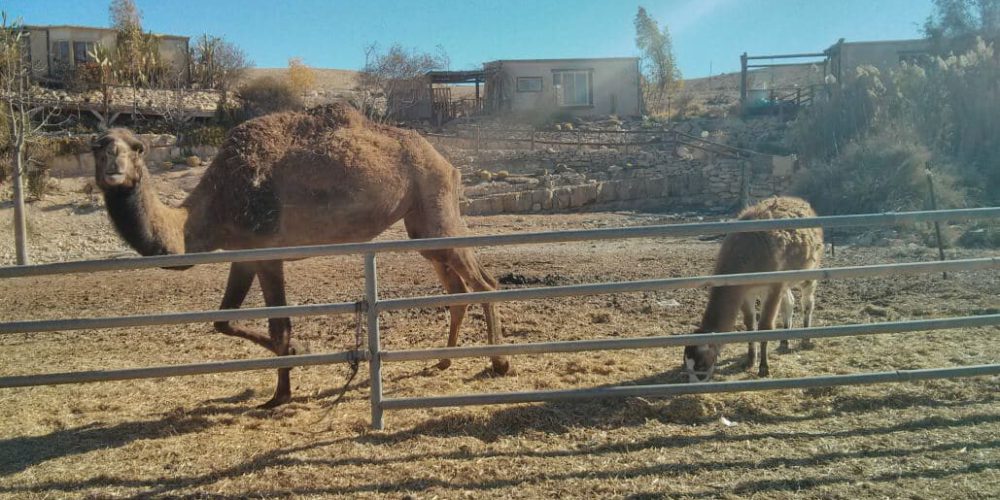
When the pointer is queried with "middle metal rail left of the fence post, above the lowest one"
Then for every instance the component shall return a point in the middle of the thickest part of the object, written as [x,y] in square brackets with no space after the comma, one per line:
[50,325]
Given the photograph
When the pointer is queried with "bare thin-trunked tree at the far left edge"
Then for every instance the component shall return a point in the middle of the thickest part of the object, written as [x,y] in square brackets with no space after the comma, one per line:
[24,120]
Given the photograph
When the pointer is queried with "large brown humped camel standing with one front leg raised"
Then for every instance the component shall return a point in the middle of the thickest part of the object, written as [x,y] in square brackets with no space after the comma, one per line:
[298,178]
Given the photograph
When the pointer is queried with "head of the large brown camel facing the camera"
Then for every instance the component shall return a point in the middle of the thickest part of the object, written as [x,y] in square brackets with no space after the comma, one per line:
[118,159]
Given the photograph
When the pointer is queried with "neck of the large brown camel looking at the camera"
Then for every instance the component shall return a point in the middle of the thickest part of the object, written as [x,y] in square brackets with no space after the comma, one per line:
[146,223]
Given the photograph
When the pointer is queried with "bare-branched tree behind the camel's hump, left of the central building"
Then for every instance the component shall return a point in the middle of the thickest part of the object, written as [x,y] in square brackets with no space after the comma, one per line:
[393,81]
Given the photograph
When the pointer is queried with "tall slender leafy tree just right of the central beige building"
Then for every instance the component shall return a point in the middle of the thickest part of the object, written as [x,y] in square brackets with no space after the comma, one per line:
[659,68]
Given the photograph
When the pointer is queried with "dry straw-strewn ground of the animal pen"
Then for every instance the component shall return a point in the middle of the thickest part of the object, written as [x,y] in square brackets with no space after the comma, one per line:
[200,436]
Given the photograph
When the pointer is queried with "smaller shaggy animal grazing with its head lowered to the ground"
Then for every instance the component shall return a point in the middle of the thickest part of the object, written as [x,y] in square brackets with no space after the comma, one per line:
[761,251]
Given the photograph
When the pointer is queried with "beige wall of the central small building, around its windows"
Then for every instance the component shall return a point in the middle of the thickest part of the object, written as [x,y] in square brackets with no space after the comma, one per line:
[615,86]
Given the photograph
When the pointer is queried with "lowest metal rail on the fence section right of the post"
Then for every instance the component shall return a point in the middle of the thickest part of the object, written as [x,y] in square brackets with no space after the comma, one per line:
[661,390]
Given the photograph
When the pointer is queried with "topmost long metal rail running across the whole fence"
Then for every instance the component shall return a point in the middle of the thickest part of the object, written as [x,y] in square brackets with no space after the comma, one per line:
[692,229]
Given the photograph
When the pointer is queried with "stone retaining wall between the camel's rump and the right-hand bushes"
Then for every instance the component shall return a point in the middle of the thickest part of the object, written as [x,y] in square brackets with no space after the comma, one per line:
[541,181]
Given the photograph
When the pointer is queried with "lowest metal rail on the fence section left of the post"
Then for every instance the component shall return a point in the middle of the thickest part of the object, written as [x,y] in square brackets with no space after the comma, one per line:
[180,370]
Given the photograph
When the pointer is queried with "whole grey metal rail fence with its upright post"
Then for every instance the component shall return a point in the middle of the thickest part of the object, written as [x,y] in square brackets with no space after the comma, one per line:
[372,307]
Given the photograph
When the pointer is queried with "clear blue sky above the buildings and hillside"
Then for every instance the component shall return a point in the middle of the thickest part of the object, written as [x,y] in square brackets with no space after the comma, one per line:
[708,34]
